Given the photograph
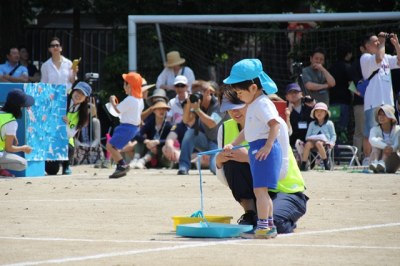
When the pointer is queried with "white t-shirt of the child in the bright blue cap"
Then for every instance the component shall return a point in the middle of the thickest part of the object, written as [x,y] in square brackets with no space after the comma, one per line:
[258,114]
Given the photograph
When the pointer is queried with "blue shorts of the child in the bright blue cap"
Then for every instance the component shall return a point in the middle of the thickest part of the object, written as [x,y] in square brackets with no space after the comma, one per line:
[266,172]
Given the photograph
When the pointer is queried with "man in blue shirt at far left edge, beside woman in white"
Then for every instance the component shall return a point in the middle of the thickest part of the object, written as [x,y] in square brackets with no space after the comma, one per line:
[12,70]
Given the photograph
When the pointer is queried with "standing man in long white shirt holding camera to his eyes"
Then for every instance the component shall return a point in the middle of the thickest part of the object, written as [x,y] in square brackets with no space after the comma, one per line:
[379,90]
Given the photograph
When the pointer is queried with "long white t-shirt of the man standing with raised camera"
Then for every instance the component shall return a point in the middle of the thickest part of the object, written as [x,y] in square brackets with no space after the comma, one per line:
[379,90]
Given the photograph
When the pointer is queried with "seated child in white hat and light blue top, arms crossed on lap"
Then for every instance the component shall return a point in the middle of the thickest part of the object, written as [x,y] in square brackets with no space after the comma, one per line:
[320,134]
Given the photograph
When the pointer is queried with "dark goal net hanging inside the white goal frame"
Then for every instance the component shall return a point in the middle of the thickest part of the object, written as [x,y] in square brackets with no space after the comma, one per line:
[211,49]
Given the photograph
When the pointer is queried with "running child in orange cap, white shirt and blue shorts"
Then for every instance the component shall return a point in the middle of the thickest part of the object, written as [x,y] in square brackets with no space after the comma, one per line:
[129,109]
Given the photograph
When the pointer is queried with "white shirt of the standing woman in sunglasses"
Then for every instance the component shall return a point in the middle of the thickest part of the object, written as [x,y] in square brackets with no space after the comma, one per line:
[51,74]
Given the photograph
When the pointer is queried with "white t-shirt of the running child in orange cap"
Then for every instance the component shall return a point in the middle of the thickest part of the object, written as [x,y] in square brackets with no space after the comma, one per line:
[130,109]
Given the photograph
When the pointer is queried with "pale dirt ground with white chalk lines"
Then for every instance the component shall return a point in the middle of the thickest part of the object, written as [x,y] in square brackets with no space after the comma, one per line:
[88,219]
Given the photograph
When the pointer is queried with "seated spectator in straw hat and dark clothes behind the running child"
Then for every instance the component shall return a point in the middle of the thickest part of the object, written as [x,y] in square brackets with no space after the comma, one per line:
[152,138]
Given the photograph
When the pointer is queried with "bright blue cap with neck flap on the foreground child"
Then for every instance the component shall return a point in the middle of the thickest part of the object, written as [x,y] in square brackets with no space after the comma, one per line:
[249,69]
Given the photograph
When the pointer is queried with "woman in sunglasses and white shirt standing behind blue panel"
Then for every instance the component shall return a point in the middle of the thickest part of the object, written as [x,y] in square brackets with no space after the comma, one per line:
[58,69]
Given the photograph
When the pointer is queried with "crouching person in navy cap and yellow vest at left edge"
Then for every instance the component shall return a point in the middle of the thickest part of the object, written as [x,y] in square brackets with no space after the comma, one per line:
[12,110]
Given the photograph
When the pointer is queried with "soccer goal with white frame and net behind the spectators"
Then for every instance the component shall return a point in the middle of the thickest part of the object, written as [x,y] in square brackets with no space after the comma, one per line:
[211,44]
